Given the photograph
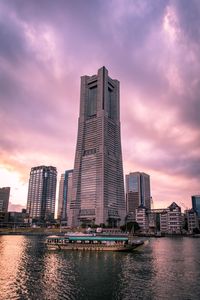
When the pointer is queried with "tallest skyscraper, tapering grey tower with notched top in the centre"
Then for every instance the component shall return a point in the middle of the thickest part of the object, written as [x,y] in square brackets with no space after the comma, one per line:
[98,185]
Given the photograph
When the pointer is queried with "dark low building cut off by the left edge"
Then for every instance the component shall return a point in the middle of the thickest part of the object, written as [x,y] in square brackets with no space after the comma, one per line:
[4,201]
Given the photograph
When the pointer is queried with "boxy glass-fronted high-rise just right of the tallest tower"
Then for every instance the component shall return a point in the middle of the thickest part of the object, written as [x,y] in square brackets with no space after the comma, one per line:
[137,192]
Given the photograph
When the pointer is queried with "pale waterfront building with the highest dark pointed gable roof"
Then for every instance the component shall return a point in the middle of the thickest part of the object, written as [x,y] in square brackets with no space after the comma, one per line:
[171,220]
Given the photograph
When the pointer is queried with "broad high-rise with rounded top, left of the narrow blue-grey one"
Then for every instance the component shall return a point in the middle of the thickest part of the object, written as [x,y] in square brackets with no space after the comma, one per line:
[42,193]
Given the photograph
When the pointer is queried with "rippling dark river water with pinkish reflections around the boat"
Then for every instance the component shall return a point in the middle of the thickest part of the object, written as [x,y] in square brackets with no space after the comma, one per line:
[166,268]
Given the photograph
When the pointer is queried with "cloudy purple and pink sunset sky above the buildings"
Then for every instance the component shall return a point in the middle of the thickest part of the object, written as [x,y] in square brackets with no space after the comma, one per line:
[151,47]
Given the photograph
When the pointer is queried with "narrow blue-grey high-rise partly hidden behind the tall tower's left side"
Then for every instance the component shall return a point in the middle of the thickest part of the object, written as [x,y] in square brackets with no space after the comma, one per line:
[64,194]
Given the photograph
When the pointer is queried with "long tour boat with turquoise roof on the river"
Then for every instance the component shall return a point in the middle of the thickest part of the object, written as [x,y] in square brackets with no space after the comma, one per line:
[93,242]
